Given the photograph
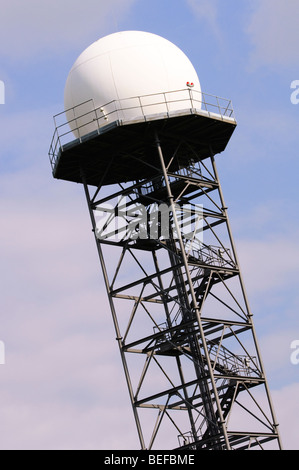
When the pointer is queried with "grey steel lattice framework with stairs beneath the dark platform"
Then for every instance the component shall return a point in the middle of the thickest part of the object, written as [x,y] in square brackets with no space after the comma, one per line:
[182,319]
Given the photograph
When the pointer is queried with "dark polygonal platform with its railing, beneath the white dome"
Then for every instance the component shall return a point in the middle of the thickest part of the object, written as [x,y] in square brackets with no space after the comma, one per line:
[110,147]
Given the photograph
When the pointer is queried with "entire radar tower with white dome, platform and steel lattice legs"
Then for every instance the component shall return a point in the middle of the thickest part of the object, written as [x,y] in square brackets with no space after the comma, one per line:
[182,320]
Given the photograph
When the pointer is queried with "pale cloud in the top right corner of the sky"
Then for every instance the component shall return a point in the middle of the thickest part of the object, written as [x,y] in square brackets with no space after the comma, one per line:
[274,33]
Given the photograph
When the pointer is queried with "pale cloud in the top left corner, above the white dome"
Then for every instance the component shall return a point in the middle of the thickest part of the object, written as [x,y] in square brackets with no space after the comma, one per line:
[34,28]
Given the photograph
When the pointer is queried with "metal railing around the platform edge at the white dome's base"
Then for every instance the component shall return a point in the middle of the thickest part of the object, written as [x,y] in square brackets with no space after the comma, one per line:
[85,118]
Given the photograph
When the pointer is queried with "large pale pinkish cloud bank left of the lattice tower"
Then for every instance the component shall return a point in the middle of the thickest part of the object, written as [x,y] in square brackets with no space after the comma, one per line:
[62,381]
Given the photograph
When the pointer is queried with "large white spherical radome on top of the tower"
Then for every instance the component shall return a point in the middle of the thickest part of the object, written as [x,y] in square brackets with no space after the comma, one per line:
[120,71]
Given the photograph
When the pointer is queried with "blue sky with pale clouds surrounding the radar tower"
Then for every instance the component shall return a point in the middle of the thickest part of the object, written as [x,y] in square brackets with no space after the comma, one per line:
[62,385]
